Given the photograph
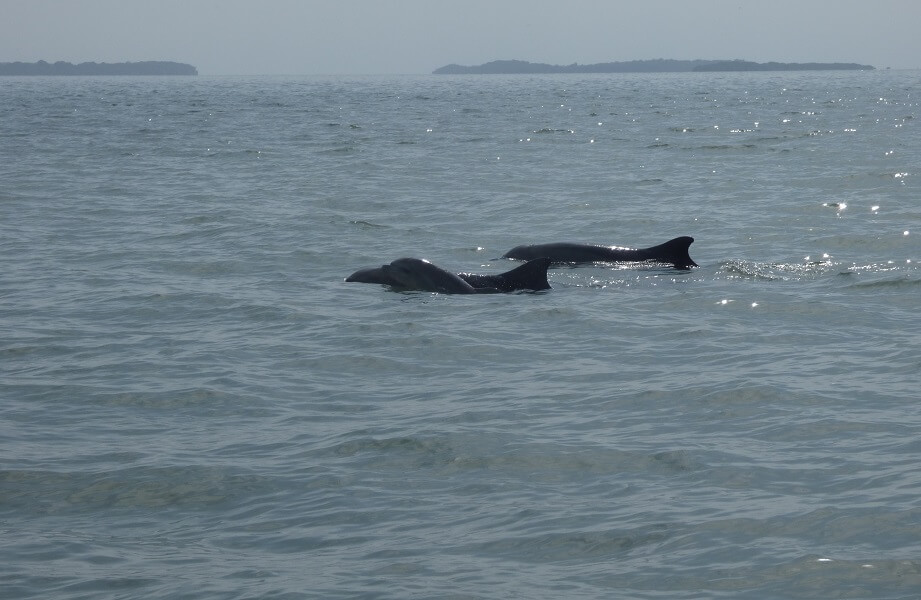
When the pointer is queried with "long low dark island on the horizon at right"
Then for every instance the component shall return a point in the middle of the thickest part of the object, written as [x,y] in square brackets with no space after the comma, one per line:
[659,65]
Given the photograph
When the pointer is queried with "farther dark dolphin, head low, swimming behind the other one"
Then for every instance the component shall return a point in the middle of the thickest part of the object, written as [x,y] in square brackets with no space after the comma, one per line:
[673,252]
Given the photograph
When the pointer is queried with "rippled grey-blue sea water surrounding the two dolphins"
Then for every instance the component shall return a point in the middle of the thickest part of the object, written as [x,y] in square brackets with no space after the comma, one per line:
[194,404]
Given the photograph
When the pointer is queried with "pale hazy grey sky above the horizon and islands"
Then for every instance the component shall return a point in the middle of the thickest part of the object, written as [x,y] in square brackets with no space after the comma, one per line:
[416,36]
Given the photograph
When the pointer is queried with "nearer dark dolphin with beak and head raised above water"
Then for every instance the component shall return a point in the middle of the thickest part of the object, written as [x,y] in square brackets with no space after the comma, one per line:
[420,274]
